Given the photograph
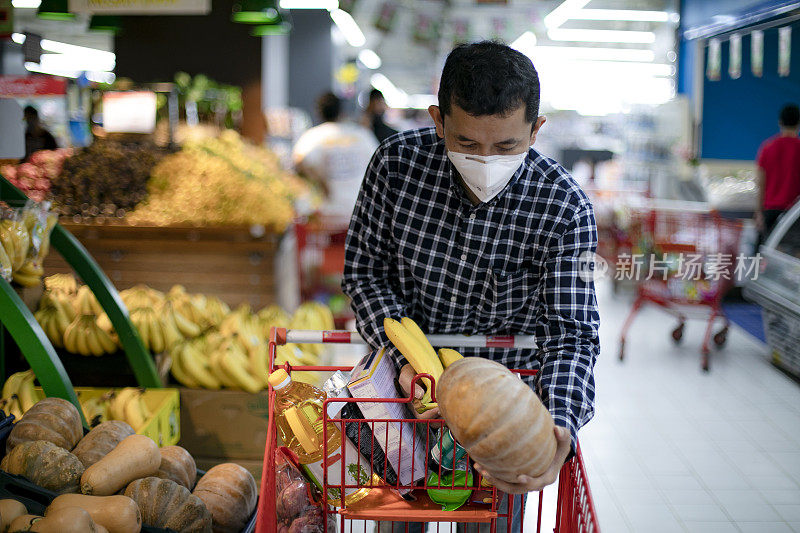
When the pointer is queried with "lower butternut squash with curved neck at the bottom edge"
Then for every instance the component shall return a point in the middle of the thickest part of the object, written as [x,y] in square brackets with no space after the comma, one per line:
[117,514]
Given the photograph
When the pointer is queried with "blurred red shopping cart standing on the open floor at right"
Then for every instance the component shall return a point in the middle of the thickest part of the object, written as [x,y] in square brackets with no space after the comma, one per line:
[687,264]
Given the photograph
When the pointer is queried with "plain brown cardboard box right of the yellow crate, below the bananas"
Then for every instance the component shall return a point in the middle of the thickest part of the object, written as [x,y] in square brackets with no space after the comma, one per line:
[224,423]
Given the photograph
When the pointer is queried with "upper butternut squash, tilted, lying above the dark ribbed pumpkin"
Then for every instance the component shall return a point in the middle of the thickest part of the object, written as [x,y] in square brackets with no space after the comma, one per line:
[134,458]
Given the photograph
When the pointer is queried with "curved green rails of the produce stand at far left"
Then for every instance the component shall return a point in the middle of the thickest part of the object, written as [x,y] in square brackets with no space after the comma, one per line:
[29,336]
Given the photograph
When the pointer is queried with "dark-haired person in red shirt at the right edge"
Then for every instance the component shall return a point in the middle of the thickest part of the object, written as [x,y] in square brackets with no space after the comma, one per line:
[778,172]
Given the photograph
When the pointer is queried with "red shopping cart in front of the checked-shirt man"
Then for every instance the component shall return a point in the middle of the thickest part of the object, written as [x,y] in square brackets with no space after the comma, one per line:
[575,512]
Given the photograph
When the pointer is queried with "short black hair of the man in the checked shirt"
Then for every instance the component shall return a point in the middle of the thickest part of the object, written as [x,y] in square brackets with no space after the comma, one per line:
[489,78]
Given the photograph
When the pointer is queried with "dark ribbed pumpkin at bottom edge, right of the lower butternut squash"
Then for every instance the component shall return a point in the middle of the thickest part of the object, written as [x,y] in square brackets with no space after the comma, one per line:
[163,503]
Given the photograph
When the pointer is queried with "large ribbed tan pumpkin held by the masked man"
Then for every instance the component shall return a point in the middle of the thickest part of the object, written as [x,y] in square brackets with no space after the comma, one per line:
[497,418]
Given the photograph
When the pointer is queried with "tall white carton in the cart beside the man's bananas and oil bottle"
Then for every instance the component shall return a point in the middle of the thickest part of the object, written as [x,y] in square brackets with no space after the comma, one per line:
[374,377]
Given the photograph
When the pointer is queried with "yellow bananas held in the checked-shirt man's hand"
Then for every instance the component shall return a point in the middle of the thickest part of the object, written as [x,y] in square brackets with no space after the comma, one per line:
[413,344]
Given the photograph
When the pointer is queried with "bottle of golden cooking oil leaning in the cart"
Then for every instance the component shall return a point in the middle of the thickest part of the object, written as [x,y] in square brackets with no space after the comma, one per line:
[298,410]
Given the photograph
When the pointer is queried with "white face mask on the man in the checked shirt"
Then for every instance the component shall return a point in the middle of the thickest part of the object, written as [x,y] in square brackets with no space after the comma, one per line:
[486,176]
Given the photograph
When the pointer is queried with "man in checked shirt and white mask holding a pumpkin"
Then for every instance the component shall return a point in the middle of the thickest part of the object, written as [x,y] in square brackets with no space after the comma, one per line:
[466,229]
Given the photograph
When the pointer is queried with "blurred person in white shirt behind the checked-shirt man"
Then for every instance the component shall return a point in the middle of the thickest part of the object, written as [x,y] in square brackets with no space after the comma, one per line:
[335,154]
